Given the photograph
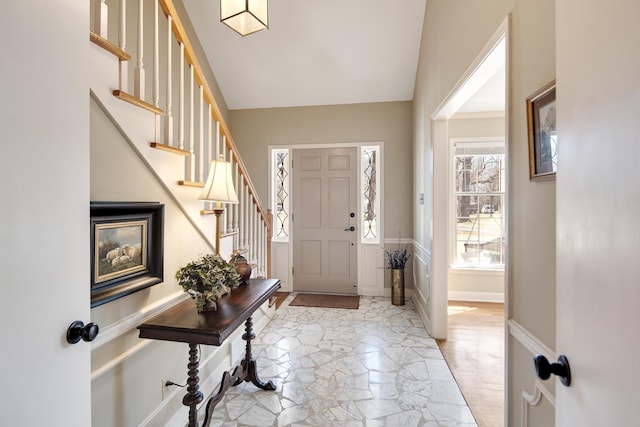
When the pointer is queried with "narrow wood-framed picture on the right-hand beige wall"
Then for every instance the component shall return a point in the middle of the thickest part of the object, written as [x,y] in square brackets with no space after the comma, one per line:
[543,138]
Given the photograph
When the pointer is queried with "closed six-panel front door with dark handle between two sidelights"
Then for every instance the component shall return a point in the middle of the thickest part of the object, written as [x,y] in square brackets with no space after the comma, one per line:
[325,220]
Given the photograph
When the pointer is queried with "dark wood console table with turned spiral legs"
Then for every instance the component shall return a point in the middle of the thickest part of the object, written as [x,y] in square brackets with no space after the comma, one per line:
[183,323]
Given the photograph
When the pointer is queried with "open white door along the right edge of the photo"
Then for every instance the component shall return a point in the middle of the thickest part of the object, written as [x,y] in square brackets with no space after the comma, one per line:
[598,206]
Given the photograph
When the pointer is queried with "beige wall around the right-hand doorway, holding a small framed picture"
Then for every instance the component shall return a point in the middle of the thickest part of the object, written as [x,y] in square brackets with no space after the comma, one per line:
[452,38]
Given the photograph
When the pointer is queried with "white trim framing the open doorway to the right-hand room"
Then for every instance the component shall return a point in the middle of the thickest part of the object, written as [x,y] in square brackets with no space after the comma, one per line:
[492,56]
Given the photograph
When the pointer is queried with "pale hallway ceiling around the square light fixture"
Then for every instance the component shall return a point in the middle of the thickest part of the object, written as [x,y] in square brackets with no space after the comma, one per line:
[316,52]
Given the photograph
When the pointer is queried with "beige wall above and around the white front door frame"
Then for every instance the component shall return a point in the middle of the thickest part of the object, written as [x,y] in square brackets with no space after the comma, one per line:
[390,123]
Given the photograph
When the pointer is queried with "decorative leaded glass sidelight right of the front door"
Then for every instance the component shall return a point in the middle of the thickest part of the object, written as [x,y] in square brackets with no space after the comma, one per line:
[369,202]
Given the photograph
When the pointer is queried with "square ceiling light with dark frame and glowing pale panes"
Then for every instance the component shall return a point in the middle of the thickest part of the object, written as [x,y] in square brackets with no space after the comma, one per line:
[244,16]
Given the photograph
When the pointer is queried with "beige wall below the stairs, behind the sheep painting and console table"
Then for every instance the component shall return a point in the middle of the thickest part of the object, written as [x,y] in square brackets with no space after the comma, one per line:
[128,372]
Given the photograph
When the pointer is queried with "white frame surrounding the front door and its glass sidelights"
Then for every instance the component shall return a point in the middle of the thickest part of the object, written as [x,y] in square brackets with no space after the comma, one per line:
[370,256]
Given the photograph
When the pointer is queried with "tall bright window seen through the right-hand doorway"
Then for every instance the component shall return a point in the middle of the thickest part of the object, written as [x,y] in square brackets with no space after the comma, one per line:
[479,197]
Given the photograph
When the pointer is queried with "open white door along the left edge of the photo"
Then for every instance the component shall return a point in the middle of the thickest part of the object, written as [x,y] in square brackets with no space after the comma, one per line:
[44,228]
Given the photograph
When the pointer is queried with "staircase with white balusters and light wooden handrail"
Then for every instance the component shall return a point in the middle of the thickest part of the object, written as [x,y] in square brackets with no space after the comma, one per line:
[167,111]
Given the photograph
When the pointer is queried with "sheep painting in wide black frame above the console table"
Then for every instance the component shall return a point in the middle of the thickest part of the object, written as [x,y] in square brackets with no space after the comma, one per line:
[126,248]
